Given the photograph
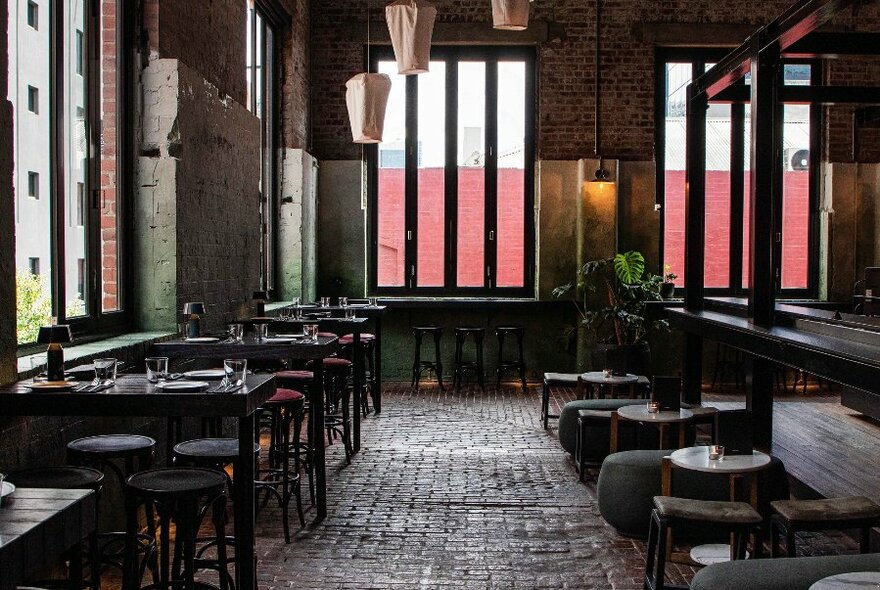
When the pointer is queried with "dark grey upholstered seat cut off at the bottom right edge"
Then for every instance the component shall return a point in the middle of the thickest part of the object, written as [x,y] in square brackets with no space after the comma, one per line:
[790,573]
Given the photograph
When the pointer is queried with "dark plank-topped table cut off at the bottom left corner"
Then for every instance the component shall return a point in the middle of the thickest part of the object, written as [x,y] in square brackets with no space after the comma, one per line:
[37,525]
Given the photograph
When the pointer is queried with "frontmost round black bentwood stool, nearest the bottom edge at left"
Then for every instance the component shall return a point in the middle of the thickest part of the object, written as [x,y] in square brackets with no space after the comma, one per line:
[183,496]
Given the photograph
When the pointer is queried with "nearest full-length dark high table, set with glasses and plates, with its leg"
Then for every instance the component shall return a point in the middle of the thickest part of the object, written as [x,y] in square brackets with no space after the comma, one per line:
[133,395]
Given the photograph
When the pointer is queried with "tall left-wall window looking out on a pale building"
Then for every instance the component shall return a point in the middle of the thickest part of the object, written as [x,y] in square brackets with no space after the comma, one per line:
[66,87]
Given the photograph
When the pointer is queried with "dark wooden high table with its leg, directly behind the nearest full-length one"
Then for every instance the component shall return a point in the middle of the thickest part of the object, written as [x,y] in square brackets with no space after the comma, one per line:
[250,349]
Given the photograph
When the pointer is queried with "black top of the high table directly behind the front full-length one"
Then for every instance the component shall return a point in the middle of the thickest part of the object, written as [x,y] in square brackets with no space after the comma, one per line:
[249,349]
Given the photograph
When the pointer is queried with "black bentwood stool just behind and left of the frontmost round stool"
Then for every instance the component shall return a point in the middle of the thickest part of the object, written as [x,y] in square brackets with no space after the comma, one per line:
[123,455]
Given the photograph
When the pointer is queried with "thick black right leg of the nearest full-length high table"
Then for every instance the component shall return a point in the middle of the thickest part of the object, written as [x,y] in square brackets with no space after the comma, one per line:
[245,507]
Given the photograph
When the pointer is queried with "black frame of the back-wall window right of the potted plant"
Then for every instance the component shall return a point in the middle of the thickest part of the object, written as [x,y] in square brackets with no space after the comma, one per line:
[699,57]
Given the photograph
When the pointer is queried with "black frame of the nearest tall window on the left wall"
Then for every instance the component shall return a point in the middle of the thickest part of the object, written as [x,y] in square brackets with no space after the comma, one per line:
[96,321]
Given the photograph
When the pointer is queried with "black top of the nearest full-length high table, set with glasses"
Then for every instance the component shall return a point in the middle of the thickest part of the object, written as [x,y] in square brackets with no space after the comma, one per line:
[133,395]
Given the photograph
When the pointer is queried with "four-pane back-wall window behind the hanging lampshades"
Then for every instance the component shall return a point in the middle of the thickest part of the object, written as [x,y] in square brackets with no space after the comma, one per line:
[451,185]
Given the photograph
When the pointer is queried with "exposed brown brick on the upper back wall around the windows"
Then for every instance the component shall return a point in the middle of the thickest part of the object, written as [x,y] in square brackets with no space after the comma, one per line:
[565,69]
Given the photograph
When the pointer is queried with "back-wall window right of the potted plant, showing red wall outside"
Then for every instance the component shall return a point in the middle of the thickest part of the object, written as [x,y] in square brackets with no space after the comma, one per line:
[728,138]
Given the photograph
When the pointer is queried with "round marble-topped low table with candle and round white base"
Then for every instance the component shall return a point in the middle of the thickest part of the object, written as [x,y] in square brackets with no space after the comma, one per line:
[734,466]
